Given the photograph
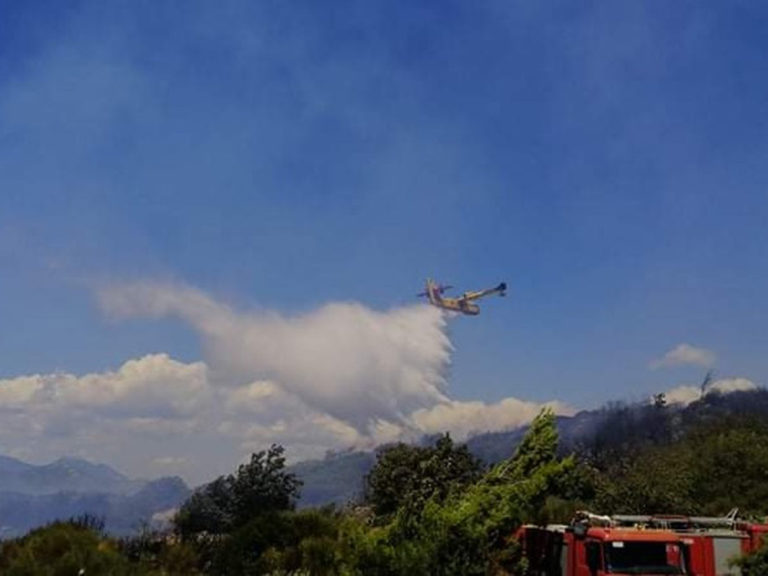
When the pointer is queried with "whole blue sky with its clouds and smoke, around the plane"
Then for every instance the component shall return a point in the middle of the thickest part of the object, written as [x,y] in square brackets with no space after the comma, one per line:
[215,217]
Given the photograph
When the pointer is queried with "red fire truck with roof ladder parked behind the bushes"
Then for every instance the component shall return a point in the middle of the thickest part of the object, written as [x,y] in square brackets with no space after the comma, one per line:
[594,545]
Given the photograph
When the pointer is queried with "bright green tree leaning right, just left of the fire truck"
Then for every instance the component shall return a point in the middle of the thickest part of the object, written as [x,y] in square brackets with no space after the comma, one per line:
[470,532]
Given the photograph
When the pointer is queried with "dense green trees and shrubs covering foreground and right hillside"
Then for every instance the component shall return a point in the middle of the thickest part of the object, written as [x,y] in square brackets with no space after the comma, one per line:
[435,509]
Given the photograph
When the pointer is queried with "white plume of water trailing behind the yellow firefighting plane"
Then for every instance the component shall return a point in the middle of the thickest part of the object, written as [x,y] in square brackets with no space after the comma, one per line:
[353,363]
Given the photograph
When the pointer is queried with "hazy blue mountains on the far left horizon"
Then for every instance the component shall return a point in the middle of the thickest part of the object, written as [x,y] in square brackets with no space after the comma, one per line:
[32,495]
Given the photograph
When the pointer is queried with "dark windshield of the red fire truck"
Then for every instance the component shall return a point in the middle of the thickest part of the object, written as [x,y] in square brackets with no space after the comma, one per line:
[644,558]
